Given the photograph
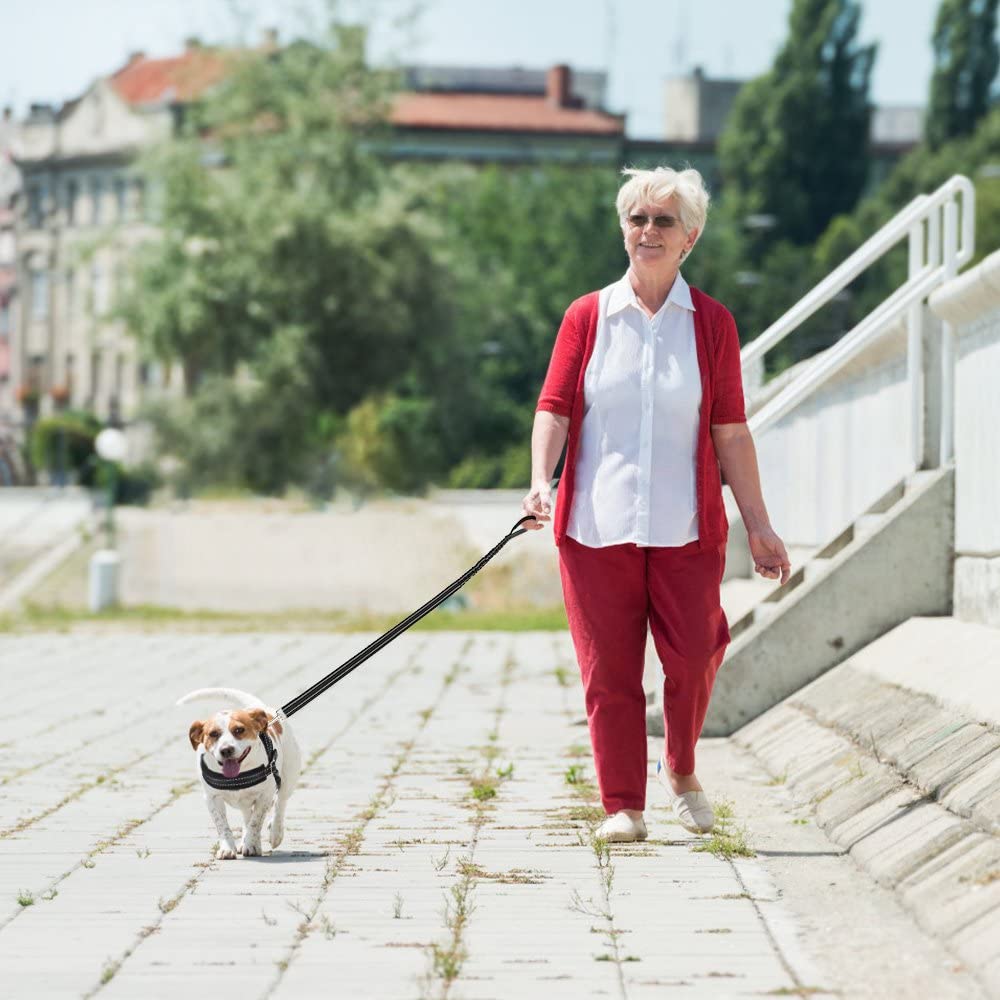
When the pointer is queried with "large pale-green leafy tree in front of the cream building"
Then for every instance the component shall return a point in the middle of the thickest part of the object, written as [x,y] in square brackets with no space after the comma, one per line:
[294,276]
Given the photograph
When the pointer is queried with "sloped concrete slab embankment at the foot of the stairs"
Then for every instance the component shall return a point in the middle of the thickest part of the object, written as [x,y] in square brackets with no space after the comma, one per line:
[911,789]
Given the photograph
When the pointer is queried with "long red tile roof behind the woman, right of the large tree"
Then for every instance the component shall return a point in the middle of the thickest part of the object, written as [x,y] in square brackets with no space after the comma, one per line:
[499,113]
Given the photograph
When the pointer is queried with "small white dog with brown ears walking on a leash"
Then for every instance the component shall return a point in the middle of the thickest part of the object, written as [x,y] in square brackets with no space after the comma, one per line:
[230,741]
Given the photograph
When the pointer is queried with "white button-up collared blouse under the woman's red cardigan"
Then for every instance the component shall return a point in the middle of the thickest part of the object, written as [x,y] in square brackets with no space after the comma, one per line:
[635,465]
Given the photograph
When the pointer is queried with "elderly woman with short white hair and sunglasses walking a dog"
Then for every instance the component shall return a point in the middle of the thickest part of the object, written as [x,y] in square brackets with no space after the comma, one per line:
[644,389]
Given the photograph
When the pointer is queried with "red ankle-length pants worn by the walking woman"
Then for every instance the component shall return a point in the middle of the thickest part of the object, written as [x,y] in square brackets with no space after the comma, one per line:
[611,594]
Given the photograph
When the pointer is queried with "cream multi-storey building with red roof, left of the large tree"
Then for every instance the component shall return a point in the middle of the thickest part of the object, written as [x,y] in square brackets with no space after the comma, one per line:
[84,208]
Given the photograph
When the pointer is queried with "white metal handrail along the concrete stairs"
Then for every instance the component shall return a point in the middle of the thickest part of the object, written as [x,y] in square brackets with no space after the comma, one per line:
[938,247]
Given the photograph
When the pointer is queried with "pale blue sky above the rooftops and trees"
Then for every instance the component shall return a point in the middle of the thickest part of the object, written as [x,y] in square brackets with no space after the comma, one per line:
[51,50]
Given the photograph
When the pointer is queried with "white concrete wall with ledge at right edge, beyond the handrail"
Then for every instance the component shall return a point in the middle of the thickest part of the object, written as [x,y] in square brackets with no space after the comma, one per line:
[971,303]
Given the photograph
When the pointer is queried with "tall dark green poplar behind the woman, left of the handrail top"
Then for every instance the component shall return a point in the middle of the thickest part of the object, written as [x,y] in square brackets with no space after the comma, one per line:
[795,147]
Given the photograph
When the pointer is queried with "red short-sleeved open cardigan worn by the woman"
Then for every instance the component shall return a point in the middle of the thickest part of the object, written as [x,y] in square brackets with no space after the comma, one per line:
[718,348]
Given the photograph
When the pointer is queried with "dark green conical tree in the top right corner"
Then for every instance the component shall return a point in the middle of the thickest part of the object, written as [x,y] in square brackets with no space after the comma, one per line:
[966,58]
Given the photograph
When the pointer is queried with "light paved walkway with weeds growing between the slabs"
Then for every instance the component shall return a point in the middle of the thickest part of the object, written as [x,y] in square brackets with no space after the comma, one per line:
[395,880]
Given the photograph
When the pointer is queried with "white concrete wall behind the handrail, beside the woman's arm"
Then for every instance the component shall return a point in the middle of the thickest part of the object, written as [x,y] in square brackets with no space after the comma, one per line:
[833,456]
